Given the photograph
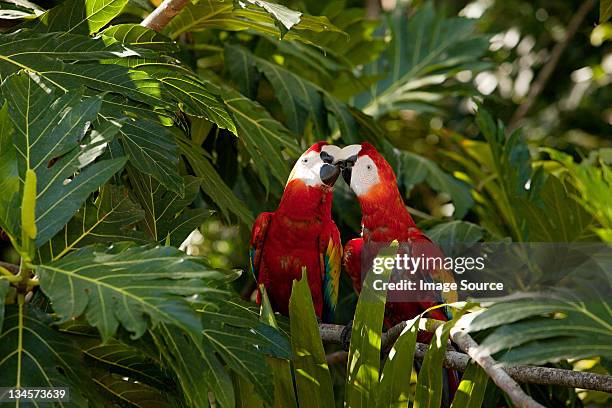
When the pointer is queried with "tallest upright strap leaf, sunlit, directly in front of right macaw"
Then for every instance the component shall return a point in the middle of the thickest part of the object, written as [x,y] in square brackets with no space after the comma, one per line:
[364,352]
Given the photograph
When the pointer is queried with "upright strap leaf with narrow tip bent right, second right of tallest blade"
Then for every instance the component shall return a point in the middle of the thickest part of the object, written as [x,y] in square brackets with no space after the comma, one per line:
[430,382]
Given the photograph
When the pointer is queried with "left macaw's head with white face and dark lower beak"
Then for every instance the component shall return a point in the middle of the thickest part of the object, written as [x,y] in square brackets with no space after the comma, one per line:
[317,166]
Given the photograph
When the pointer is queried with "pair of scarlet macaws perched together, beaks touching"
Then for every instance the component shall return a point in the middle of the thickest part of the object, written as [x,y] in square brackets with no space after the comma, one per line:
[301,232]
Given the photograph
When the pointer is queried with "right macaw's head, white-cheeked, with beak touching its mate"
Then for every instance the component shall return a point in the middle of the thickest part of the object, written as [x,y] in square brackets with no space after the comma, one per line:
[365,170]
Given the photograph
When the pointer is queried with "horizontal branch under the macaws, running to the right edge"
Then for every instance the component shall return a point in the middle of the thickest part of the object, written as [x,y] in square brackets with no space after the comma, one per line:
[330,333]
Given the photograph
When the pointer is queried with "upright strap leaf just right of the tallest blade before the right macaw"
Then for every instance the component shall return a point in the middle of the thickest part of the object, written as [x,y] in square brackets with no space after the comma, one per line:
[395,388]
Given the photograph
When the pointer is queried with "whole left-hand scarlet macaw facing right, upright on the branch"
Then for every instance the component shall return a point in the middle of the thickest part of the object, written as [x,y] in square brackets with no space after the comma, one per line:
[301,233]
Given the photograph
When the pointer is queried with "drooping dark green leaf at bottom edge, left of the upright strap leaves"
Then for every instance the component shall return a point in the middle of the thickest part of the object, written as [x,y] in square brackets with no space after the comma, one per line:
[196,367]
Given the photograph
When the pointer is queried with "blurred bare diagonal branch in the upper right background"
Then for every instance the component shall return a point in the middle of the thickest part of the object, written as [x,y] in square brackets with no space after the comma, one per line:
[549,67]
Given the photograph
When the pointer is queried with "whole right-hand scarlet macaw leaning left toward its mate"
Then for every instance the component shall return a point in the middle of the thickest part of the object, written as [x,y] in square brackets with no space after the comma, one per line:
[385,219]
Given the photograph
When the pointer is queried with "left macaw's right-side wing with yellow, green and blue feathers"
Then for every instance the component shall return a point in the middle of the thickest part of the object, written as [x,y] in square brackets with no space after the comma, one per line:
[330,250]
